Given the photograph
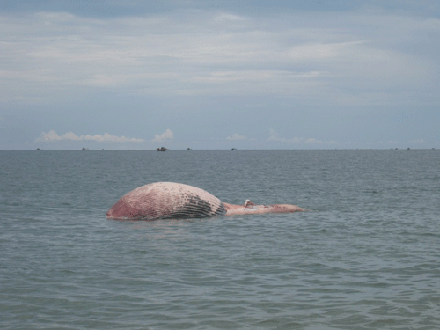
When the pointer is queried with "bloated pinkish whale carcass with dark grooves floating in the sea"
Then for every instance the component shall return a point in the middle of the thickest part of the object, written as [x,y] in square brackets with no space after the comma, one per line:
[169,200]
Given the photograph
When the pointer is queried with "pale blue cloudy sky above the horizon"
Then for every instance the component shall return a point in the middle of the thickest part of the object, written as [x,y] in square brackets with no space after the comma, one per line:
[211,74]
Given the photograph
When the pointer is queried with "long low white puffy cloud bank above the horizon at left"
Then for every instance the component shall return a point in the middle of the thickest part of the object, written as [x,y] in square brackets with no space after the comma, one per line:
[52,136]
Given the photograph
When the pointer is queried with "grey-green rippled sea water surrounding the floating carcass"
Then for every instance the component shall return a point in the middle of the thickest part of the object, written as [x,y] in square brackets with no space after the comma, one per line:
[366,254]
